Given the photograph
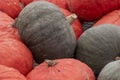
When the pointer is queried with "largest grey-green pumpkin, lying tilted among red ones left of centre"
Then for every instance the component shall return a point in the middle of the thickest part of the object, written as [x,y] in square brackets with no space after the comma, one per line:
[46,31]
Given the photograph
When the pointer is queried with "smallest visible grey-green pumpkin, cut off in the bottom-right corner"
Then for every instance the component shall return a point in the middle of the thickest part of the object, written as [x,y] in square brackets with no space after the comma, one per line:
[111,71]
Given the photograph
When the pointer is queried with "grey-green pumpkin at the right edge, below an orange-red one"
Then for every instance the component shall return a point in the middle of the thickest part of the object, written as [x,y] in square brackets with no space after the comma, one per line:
[98,46]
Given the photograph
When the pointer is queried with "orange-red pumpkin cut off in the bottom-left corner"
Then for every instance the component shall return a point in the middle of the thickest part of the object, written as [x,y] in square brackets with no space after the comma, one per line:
[8,73]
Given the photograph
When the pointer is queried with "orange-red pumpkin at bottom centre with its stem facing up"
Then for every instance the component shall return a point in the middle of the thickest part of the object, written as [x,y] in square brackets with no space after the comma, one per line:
[61,69]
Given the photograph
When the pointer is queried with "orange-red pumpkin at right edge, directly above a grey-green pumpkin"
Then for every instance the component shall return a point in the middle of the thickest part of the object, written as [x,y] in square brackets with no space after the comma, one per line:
[111,18]
